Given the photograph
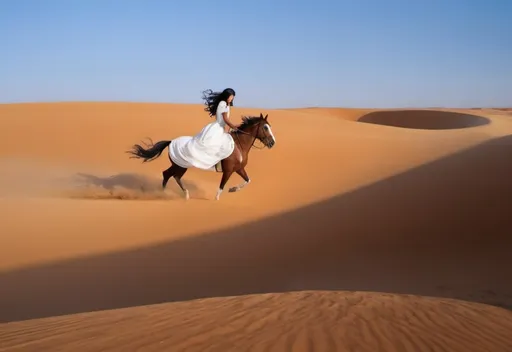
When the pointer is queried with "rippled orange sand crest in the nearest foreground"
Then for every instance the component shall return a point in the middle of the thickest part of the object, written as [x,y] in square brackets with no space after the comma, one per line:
[297,321]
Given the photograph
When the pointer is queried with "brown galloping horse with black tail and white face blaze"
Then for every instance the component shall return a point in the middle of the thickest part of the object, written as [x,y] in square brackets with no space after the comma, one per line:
[251,128]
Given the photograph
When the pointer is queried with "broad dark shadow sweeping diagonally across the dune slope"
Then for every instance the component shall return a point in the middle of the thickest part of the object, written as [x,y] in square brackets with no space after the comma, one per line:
[442,229]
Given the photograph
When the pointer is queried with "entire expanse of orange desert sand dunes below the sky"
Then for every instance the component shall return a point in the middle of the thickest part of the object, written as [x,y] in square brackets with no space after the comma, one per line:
[362,230]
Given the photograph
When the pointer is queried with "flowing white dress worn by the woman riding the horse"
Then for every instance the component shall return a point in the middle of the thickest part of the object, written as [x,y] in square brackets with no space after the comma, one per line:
[207,148]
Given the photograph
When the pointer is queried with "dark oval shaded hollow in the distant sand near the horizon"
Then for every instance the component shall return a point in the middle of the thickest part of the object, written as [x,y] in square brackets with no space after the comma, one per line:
[424,119]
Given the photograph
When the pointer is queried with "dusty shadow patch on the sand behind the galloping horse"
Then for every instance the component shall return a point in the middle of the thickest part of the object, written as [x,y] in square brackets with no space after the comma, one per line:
[125,186]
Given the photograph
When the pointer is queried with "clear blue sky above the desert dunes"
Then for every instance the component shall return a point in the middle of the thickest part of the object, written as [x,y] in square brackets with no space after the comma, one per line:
[275,54]
